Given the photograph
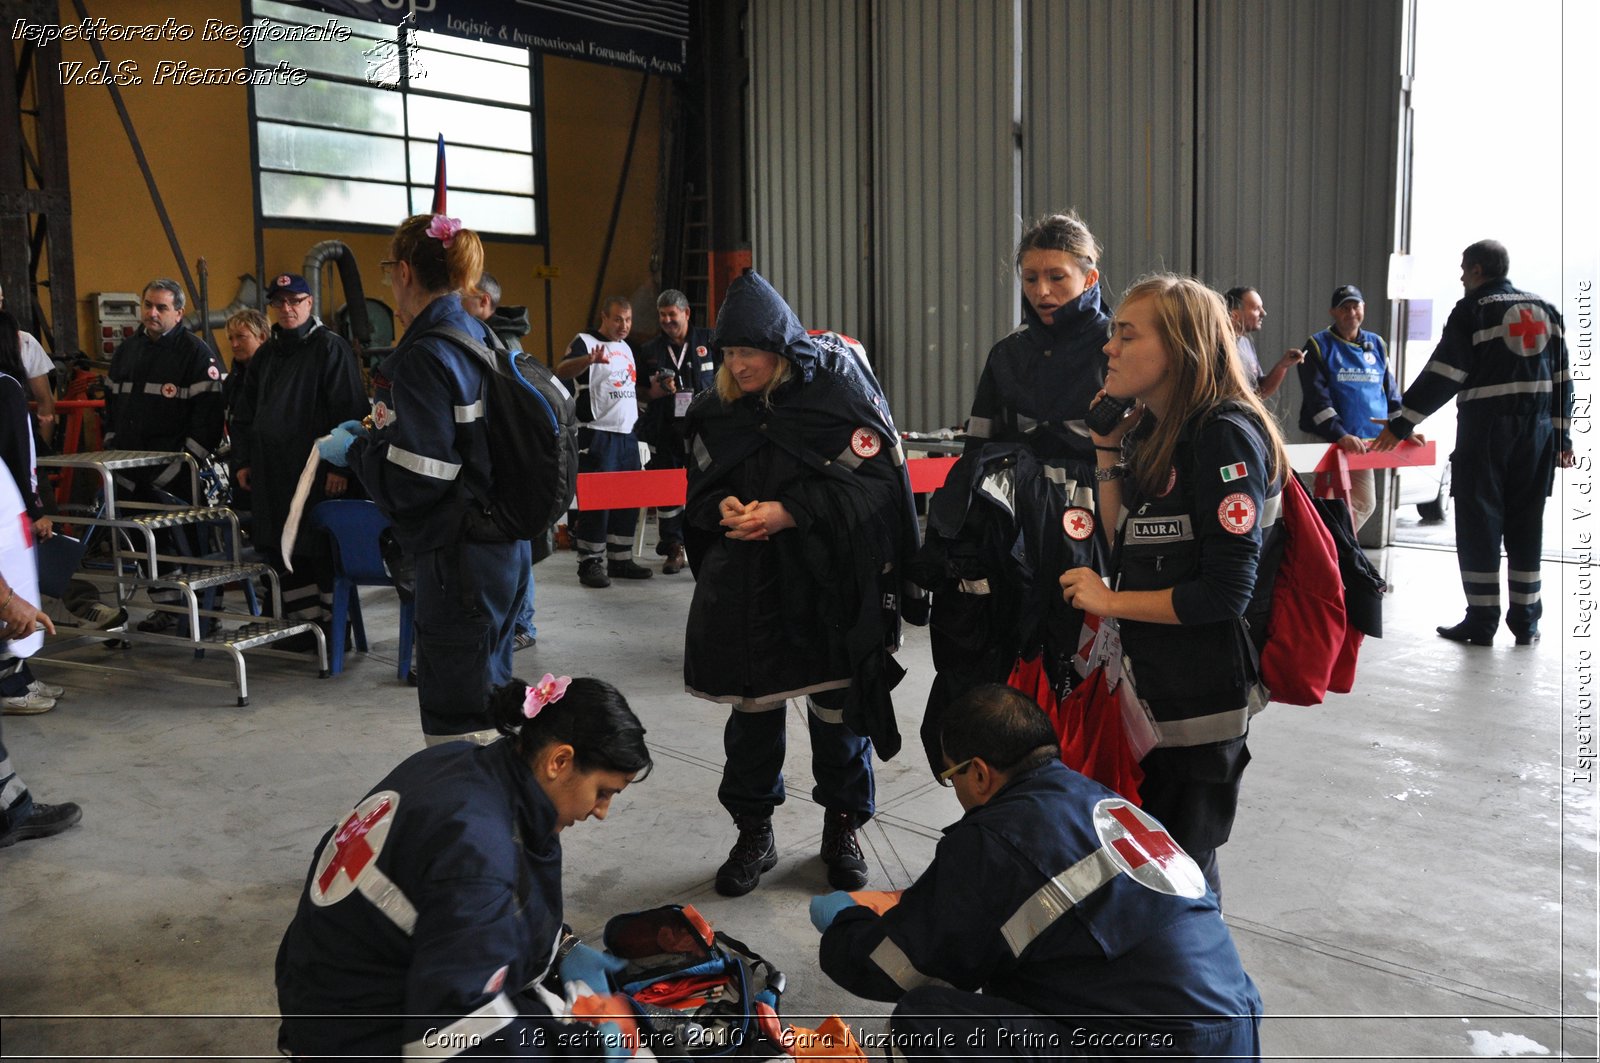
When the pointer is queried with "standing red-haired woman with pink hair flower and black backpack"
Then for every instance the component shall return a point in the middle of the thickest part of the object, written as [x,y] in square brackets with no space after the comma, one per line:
[428,463]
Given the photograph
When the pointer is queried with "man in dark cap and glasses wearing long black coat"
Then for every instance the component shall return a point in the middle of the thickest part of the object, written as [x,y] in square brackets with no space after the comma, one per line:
[302,385]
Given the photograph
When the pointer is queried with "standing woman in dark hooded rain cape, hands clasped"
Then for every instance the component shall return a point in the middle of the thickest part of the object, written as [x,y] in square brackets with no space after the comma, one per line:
[799,523]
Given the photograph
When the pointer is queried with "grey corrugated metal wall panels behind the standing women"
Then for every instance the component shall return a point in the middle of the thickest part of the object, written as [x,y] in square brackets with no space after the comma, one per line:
[1244,142]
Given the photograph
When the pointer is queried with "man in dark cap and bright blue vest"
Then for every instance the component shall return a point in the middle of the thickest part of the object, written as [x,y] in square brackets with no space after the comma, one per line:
[1348,393]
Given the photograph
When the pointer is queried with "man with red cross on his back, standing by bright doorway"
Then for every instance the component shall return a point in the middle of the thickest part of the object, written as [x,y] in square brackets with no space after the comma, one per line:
[1503,356]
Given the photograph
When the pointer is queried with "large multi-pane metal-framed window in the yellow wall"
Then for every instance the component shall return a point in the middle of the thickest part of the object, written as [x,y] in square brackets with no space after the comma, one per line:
[354,143]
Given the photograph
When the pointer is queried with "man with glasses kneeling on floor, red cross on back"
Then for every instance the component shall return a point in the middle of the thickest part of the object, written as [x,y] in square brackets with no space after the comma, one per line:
[1057,920]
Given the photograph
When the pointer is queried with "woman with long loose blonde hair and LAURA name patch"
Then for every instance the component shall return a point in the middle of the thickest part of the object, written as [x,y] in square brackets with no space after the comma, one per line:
[1188,495]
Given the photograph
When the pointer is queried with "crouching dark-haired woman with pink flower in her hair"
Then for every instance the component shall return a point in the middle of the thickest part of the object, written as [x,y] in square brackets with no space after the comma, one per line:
[433,910]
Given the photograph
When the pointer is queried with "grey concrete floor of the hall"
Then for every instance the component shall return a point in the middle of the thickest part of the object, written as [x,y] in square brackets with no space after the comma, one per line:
[1412,873]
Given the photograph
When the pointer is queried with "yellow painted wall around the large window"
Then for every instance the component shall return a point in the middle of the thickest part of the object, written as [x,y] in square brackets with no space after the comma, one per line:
[198,143]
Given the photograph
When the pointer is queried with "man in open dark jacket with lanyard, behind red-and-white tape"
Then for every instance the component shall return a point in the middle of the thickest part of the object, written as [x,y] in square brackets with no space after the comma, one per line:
[679,364]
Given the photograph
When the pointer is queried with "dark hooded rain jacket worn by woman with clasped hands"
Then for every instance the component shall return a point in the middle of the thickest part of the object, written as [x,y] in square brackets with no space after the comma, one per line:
[818,606]
